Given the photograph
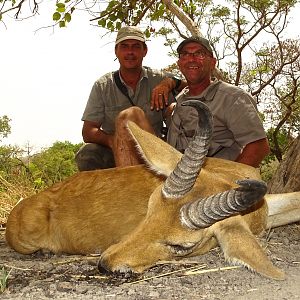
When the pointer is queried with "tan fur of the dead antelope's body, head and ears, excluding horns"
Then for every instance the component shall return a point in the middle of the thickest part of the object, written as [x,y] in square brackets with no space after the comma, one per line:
[121,212]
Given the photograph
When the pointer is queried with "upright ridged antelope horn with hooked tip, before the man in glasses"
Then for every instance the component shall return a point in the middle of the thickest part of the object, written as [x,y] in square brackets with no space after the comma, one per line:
[183,178]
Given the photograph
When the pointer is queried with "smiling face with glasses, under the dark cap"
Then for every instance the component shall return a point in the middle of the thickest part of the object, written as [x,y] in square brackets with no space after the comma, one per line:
[196,63]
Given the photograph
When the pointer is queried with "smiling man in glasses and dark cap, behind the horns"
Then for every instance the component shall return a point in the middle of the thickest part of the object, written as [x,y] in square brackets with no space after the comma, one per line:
[238,133]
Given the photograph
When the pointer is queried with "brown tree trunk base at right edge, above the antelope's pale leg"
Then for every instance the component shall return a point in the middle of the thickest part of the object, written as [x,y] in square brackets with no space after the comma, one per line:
[287,176]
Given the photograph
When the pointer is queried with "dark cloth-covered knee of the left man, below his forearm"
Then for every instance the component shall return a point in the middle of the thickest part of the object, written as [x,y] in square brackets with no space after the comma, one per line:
[93,156]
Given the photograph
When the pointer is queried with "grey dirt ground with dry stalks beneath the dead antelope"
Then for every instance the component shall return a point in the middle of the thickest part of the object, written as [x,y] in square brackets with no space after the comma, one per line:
[76,277]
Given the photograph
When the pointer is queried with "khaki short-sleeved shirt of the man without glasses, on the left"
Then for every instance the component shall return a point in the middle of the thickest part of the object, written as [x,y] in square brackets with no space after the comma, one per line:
[106,101]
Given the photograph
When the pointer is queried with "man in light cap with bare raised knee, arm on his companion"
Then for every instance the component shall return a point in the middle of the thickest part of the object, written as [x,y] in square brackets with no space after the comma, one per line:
[118,97]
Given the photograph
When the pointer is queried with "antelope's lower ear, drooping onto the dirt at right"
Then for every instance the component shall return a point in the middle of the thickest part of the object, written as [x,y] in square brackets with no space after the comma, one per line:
[240,247]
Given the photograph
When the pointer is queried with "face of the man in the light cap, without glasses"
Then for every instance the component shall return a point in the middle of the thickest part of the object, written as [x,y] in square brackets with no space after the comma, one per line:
[130,53]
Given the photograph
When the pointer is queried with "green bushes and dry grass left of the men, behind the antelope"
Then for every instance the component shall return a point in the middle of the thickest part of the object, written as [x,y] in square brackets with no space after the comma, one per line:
[22,175]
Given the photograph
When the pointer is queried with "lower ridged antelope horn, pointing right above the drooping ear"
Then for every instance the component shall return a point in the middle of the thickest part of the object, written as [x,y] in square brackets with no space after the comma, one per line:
[205,212]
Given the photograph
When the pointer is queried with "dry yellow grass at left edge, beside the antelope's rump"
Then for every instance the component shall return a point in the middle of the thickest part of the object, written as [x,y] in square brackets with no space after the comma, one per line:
[11,193]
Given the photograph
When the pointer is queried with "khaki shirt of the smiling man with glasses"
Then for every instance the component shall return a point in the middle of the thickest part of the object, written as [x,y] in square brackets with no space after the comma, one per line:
[236,121]
